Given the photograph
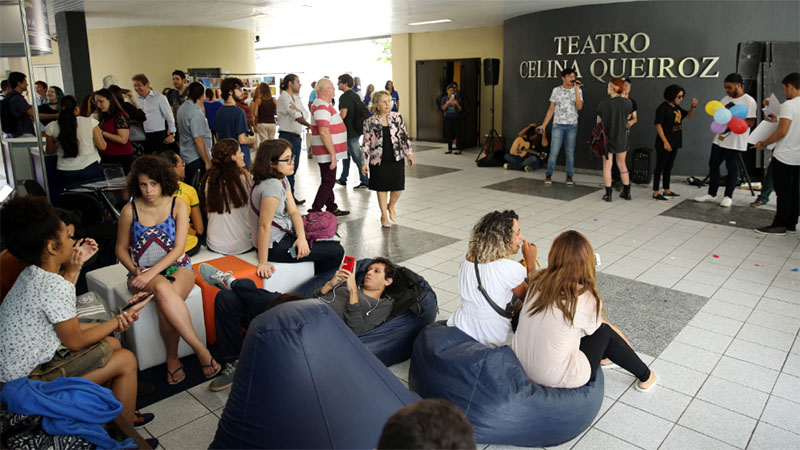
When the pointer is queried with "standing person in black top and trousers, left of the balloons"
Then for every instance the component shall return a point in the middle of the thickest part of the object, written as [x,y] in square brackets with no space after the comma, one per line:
[669,136]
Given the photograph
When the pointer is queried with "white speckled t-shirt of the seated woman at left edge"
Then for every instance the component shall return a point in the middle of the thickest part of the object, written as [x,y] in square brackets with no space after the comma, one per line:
[38,300]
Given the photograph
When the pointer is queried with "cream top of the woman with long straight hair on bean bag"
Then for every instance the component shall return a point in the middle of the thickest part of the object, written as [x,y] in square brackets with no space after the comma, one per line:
[549,348]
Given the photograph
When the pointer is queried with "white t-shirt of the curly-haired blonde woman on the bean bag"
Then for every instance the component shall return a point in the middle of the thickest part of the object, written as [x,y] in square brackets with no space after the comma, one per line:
[475,316]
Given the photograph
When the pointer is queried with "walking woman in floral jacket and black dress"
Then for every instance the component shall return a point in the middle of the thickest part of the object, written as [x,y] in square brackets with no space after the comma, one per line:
[384,150]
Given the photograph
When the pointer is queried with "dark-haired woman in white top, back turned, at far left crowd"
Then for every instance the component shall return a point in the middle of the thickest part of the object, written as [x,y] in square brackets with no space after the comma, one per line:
[76,139]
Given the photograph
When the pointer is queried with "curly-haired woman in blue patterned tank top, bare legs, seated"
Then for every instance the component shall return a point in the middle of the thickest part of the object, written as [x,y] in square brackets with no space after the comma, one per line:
[151,238]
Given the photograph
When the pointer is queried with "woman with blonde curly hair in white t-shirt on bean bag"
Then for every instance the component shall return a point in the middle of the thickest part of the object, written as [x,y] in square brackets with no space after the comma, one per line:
[495,238]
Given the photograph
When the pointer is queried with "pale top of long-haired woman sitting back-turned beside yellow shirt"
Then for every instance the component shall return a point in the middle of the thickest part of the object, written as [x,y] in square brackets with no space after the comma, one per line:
[229,233]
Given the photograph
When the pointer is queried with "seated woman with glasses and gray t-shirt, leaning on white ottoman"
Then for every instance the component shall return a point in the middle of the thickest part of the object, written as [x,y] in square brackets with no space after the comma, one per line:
[277,227]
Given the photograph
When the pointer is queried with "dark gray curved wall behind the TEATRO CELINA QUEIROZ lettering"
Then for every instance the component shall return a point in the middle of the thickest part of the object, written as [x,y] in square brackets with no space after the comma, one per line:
[676,29]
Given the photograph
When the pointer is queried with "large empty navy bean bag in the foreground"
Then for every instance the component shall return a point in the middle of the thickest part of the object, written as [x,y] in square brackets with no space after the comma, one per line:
[304,380]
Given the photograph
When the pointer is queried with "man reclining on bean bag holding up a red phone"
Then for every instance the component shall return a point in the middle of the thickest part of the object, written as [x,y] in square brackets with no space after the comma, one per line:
[239,301]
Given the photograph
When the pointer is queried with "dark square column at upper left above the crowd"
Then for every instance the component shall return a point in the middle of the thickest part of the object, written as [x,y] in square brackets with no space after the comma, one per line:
[73,47]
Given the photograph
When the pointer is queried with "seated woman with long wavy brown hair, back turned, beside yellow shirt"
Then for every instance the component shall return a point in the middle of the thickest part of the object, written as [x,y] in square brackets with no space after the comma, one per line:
[224,192]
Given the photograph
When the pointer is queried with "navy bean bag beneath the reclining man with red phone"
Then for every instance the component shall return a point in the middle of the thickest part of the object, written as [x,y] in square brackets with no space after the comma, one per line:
[392,341]
